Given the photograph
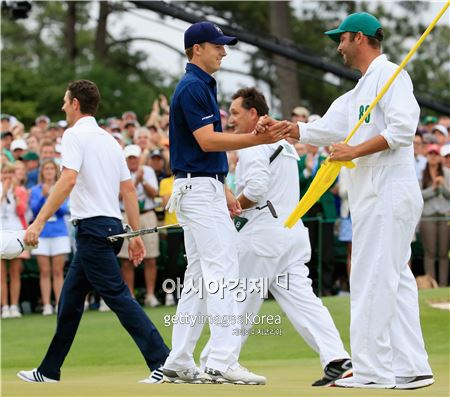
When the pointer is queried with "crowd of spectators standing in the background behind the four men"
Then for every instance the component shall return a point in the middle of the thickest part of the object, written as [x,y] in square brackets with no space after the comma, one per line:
[31,166]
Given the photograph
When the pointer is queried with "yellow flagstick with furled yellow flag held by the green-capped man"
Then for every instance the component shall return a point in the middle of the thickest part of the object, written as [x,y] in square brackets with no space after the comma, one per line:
[329,170]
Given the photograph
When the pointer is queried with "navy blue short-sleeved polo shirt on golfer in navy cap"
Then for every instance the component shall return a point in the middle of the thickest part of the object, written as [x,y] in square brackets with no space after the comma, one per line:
[194,105]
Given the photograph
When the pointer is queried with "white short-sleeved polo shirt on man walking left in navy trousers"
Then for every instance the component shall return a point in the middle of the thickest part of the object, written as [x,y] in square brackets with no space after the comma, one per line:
[101,166]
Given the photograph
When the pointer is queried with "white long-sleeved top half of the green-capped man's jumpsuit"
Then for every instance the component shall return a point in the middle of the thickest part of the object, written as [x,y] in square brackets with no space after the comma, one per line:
[395,117]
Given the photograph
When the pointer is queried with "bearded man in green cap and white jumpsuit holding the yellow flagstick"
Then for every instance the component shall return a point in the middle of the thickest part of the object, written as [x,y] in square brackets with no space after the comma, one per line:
[385,202]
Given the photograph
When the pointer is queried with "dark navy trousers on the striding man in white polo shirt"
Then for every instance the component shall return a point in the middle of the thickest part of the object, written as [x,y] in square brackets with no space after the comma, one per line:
[95,266]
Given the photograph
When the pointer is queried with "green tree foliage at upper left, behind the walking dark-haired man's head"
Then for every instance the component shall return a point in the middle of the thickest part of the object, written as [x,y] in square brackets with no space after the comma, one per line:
[36,65]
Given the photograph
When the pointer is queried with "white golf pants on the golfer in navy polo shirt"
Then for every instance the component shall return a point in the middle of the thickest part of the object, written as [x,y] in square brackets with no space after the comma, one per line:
[210,240]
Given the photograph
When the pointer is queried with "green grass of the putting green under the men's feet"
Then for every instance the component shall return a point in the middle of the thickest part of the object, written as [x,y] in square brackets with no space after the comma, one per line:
[104,361]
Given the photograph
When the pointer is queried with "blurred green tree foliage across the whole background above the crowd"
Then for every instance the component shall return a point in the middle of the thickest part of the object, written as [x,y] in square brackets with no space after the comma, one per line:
[40,55]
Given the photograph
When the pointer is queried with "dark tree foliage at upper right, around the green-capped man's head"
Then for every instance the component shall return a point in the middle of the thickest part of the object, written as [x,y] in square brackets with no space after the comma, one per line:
[403,22]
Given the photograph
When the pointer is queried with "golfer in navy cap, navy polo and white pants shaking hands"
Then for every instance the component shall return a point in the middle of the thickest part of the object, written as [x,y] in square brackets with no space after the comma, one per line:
[203,206]
